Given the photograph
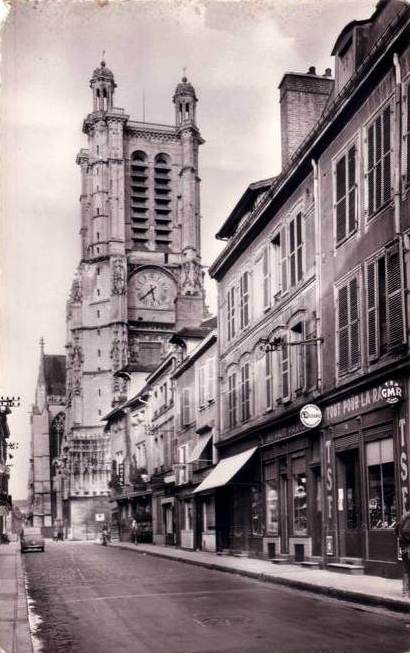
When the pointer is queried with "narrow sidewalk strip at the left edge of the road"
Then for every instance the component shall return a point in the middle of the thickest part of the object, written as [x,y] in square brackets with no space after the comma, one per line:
[14,626]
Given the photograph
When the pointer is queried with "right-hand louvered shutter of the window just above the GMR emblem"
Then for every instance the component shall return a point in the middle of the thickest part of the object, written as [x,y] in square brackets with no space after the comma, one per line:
[395,297]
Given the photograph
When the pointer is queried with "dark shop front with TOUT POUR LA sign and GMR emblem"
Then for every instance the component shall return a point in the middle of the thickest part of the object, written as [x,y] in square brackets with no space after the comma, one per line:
[365,447]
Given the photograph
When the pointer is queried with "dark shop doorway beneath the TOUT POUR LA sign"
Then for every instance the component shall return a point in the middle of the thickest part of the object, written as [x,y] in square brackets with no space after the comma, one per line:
[349,504]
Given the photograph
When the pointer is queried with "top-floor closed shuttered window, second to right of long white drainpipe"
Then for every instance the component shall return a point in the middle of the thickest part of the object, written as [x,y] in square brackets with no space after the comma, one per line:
[378,162]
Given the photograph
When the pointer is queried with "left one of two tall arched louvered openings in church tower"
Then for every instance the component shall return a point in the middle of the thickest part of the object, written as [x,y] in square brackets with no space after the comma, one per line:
[139,198]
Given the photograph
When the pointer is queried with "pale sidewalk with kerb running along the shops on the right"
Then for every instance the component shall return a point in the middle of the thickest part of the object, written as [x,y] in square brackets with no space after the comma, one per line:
[368,590]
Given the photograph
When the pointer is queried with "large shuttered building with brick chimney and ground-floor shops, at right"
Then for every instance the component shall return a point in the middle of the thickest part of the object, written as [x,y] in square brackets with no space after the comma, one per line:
[313,309]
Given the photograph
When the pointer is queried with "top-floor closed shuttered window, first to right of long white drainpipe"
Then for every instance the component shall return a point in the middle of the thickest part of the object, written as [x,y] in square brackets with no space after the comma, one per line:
[346,203]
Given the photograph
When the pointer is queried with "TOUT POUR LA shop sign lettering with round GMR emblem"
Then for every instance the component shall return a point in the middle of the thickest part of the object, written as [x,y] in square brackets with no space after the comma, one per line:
[355,404]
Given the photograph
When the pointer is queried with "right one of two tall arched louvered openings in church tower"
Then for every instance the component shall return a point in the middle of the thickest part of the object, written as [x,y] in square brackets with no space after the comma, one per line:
[163,200]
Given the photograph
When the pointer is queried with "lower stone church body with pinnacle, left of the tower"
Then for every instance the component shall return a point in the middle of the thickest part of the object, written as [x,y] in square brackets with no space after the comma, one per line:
[47,431]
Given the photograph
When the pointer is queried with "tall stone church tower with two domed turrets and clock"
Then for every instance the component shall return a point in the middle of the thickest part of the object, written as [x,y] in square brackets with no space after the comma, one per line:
[139,278]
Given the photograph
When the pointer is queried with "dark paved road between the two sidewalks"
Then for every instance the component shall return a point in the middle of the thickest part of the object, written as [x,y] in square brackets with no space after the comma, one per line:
[93,599]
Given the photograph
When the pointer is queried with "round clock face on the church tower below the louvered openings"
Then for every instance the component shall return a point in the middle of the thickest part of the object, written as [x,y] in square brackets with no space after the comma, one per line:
[154,289]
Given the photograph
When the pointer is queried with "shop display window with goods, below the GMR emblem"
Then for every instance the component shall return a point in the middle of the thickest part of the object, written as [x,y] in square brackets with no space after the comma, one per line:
[381,484]
